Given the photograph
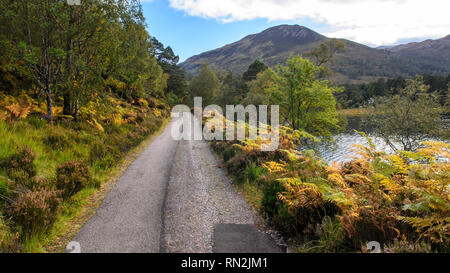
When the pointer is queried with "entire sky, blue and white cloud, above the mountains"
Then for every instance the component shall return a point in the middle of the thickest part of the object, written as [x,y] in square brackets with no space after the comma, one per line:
[191,27]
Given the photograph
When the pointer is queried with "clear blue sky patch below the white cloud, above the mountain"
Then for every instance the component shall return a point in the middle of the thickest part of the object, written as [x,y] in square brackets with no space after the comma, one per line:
[190,35]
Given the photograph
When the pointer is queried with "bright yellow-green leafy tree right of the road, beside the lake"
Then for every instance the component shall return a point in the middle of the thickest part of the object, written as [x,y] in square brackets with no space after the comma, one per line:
[306,103]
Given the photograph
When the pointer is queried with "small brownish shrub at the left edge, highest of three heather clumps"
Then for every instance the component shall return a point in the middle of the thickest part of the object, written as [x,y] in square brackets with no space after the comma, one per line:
[20,164]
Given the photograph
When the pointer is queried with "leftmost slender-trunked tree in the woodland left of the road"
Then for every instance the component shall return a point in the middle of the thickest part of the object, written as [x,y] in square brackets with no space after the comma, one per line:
[39,45]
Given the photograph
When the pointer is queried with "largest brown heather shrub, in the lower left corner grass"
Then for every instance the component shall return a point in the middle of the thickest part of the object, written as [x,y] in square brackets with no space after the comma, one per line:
[35,211]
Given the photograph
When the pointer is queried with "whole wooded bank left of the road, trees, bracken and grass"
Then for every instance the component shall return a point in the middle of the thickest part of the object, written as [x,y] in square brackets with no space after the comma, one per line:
[80,88]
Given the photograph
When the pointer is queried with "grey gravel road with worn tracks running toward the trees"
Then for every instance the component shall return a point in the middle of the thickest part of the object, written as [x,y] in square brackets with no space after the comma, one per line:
[173,198]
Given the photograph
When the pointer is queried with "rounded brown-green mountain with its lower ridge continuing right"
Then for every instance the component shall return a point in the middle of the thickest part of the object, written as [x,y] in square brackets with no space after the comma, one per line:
[359,63]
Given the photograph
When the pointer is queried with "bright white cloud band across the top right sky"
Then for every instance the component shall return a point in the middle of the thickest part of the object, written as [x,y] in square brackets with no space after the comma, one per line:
[374,22]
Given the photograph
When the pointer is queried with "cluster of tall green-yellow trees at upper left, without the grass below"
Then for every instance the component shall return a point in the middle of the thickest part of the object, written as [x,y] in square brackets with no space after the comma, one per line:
[70,52]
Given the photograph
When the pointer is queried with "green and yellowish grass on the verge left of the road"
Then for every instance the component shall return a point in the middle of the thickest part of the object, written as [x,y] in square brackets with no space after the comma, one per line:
[54,144]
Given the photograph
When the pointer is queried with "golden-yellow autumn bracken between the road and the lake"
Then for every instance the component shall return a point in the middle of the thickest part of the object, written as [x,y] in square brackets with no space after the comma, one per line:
[400,200]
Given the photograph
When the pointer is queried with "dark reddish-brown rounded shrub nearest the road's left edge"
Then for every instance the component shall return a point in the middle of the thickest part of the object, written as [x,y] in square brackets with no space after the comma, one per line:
[71,177]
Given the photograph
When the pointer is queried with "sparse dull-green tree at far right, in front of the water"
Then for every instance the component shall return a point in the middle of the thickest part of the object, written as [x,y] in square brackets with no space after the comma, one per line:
[408,118]
